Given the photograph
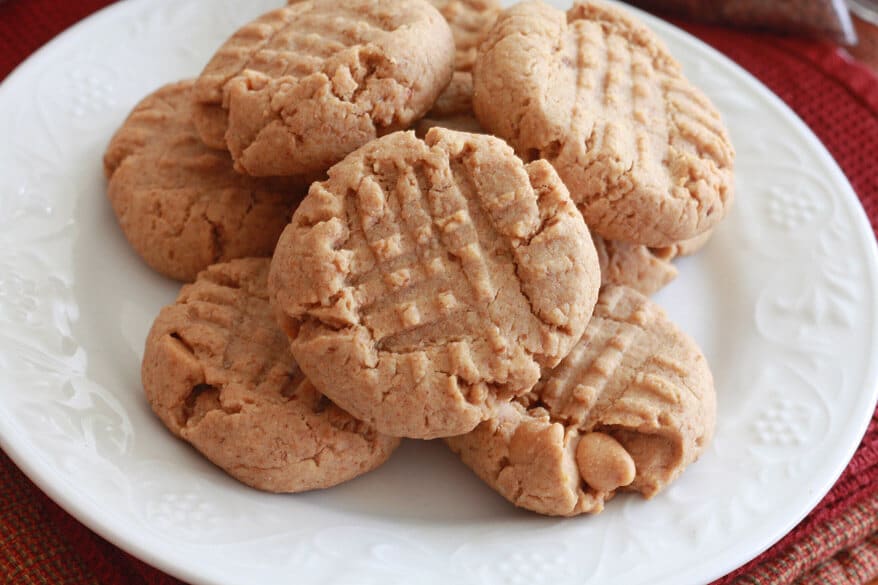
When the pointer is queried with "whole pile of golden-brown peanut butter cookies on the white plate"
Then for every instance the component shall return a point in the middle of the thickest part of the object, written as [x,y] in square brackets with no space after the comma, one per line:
[429,220]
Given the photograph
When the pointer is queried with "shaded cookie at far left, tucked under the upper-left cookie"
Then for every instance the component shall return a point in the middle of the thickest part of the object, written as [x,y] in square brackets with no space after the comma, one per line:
[180,204]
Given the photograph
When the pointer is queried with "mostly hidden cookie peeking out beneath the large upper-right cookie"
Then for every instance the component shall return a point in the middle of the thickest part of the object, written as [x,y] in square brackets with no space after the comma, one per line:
[634,266]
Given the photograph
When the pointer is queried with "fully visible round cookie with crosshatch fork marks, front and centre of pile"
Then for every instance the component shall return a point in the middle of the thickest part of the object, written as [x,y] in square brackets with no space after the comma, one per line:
[427,281]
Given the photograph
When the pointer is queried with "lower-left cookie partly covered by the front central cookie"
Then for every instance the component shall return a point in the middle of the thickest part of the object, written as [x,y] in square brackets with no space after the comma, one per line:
[218,372]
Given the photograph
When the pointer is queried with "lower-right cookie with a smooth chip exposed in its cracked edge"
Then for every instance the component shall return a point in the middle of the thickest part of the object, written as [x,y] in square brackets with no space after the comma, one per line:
[629,408]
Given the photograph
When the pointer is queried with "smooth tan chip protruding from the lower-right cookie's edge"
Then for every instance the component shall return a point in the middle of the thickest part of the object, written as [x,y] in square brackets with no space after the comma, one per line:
[603,462]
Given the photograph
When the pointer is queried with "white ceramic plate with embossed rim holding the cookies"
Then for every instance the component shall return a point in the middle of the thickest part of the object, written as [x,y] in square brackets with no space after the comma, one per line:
[783,301]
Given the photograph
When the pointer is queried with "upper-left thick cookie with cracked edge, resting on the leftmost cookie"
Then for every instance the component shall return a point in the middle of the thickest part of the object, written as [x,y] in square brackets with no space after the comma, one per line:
[297,89]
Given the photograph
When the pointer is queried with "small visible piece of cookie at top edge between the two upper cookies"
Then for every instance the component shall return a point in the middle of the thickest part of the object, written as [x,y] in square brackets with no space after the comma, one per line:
[470,21]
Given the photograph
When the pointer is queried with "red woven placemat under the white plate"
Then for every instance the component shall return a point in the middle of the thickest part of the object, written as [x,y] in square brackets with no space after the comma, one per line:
[835,544]
